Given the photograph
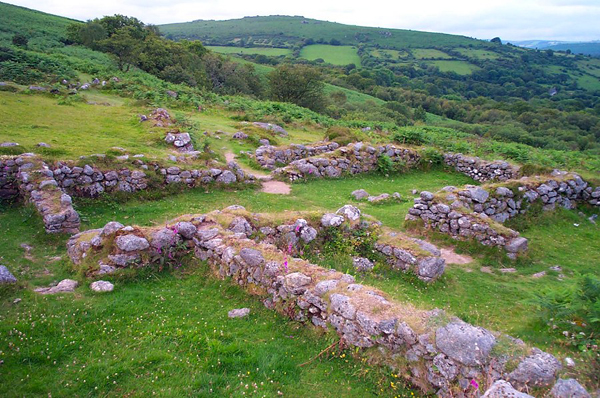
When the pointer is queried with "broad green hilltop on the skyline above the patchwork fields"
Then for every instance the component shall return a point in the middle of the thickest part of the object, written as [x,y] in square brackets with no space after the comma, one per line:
[221,32]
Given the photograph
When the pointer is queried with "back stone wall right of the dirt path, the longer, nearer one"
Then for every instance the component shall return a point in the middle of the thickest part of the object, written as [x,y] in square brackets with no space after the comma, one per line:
[352,159]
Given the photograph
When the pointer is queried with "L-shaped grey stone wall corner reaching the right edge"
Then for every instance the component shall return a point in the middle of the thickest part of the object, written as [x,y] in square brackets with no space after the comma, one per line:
[478,212]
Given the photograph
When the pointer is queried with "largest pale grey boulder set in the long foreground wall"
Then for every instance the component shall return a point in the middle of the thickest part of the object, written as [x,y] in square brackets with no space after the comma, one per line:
[464,343]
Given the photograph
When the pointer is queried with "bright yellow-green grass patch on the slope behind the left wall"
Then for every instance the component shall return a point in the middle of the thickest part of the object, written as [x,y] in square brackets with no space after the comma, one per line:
[79,128]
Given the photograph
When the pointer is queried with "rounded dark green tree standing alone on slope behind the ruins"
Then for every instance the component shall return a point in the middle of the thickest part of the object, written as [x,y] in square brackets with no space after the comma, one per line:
[298,84]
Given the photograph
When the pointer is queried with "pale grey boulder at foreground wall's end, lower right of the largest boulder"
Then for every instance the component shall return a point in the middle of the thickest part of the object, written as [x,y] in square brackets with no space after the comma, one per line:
[538,369]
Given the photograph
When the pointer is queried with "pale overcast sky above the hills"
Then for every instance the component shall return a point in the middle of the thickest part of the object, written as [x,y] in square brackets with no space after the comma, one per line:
[568,20]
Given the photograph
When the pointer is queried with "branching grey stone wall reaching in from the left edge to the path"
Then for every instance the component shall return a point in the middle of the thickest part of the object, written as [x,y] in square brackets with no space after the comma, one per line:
[50,187]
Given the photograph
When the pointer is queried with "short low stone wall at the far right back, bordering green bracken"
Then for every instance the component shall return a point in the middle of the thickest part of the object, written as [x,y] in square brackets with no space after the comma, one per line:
[481,170]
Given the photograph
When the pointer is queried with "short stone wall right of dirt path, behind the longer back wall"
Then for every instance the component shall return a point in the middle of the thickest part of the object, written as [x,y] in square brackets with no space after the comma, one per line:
[269,156]
